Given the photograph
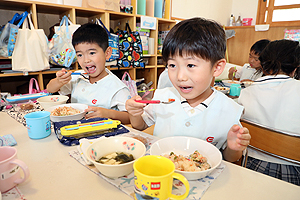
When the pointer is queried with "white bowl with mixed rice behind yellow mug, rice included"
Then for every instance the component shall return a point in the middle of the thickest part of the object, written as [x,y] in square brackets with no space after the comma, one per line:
[193,158]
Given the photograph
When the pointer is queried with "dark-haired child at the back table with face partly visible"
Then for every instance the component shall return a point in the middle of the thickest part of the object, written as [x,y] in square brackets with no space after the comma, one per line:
[252,70]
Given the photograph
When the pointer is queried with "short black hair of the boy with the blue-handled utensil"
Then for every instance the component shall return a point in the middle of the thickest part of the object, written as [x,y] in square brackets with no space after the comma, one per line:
[91,33]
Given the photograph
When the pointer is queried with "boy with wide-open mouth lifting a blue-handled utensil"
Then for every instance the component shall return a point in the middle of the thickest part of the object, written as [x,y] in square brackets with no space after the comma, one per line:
[96,86]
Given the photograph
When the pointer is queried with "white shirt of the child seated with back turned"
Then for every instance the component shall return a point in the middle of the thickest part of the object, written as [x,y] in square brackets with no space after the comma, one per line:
[273,101]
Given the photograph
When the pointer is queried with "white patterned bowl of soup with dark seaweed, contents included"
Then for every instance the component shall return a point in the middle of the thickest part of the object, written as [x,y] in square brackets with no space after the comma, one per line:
[114,156]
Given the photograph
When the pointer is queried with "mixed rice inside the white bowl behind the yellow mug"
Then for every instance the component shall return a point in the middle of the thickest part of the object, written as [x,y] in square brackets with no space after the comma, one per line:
[192,163]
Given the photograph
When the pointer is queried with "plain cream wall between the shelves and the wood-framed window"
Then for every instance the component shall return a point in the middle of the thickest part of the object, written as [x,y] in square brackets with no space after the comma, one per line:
[219,10]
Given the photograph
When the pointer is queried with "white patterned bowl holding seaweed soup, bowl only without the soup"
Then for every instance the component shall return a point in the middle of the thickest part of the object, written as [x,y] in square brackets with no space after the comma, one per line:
[109,145]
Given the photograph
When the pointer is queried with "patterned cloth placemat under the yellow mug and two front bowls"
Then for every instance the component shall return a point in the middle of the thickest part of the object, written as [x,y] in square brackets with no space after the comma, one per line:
[126,183]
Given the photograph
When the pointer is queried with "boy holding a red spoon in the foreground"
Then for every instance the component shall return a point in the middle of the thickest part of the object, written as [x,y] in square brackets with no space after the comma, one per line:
[194,51]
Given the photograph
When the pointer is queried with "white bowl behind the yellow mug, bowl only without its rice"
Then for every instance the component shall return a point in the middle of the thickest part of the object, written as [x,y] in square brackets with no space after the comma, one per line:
[185,146]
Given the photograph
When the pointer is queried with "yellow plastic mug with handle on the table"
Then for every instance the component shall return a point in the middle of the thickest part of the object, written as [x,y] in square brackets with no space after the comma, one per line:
[153,177]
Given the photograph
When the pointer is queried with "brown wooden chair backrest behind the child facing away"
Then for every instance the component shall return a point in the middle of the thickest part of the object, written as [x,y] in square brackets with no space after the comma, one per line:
[280,144]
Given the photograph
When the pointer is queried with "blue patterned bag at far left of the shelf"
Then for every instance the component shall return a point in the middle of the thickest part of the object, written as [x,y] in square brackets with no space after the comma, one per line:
[9,33]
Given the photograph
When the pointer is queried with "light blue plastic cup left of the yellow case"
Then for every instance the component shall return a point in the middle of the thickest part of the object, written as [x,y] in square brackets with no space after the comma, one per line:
[38,124]
